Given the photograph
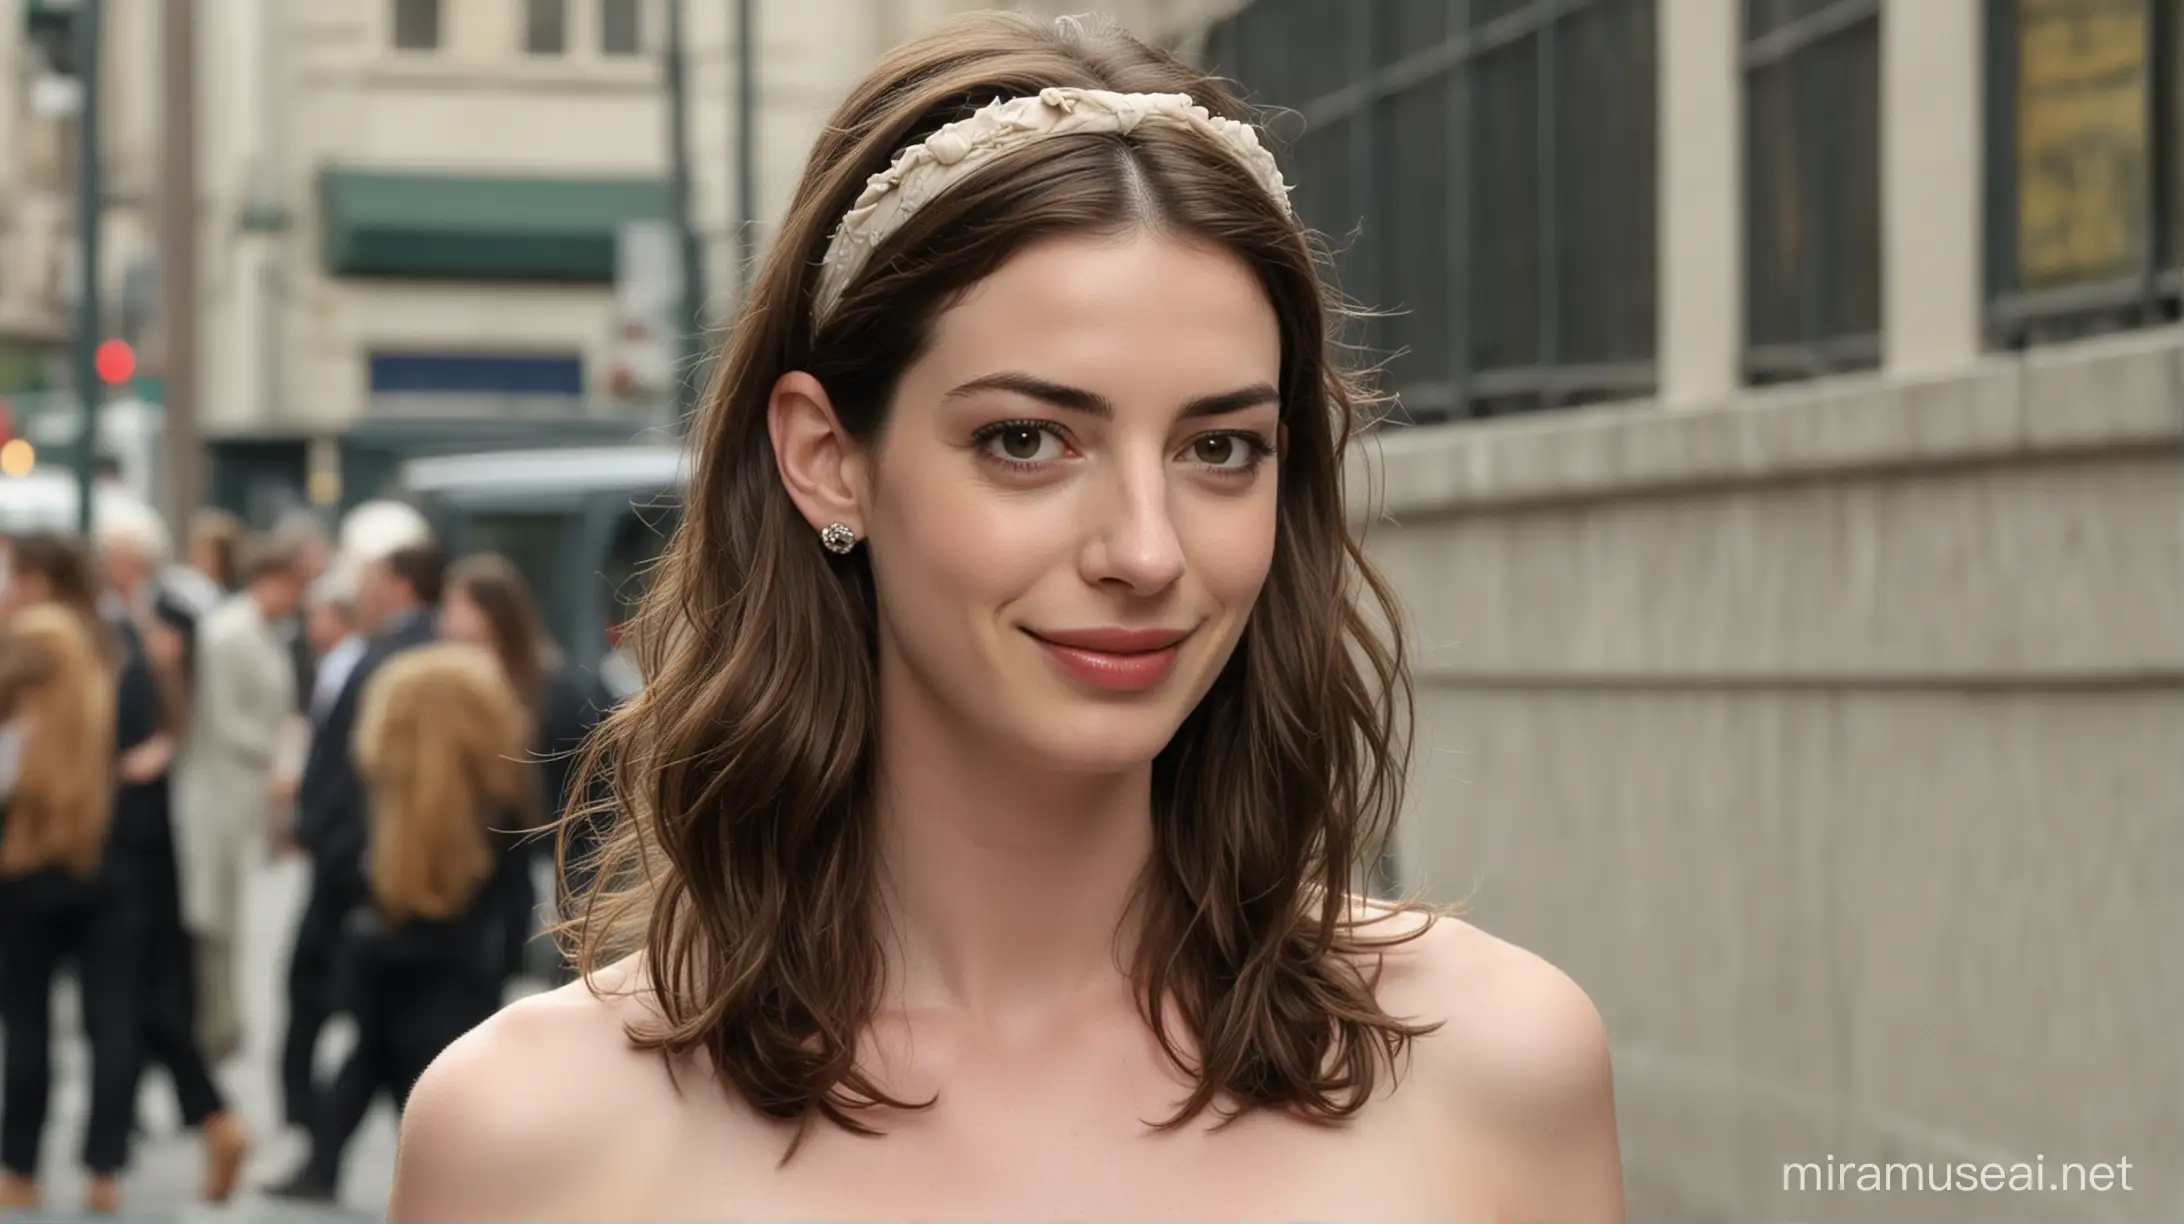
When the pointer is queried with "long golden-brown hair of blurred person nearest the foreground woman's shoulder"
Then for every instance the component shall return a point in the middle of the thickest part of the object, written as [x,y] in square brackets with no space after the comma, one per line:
[440,744]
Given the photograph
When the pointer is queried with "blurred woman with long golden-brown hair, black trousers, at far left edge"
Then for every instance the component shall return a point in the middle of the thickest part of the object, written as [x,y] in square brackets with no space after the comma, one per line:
[58,902]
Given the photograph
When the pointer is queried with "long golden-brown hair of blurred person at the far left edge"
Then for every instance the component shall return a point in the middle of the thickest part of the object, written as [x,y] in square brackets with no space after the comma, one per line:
[56,681]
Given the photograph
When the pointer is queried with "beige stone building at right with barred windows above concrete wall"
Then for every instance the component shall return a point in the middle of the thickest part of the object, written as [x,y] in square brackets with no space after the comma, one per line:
[1794,558]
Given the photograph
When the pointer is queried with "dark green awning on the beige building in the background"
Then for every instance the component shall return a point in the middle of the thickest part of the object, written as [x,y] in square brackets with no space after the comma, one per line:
[477,228]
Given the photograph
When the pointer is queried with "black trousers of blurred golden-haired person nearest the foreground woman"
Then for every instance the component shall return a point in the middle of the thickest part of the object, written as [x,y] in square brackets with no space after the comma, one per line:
[407,1013]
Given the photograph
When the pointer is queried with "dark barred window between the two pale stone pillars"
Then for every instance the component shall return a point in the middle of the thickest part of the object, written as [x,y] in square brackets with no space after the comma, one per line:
[1812,187]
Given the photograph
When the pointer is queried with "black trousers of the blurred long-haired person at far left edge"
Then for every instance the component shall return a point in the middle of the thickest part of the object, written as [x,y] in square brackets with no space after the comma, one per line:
[49,919]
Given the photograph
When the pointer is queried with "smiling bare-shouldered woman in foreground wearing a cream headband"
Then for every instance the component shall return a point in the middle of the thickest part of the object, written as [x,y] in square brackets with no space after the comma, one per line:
[1017,718]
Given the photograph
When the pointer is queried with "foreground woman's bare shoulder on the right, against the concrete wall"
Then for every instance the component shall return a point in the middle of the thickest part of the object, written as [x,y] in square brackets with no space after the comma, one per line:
[1519,1059]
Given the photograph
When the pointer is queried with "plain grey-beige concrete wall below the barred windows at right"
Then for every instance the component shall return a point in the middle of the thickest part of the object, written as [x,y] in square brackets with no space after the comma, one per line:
[1833,742]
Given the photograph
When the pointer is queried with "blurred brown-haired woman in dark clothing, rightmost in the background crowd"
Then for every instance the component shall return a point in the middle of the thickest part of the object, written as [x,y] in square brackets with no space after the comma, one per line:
[488,604]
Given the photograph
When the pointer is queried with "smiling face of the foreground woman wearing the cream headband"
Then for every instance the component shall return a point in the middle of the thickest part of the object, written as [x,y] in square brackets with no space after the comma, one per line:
[1073,506]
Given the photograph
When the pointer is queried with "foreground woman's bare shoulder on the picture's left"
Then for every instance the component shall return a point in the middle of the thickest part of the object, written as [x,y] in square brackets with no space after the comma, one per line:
[508,1120]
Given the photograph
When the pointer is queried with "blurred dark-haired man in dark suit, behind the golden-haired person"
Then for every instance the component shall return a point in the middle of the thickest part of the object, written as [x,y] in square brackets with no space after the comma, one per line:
[396,598]
